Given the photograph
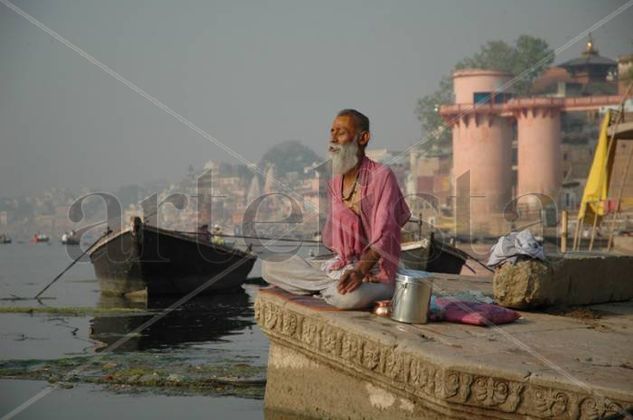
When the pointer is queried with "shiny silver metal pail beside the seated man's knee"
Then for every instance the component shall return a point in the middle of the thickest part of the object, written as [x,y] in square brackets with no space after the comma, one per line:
[411,299]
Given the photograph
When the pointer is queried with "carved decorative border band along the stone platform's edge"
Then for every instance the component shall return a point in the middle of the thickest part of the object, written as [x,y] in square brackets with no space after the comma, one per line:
[415,377]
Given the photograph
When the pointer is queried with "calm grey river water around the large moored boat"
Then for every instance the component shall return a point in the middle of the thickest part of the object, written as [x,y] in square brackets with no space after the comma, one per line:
[214,334]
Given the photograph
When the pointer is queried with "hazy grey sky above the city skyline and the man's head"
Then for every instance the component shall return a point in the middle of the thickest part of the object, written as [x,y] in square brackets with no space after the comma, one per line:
[250,73]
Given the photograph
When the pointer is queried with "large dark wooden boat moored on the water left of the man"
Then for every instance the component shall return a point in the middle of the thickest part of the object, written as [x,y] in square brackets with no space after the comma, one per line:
[166,262]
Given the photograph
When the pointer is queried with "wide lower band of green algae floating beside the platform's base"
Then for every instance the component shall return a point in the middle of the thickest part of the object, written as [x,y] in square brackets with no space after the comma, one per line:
[138,372]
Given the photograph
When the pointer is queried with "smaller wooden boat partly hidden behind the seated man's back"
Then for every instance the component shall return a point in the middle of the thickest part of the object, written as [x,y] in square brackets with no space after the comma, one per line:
[433,255]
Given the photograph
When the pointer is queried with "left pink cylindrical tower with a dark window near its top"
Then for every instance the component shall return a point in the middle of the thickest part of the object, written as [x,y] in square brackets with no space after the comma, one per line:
[482,142]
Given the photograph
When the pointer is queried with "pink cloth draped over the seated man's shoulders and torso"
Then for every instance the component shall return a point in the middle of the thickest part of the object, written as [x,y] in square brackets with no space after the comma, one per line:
[383,212]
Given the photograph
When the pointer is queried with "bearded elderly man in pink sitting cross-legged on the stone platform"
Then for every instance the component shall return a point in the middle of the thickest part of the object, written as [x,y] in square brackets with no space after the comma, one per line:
[363,226]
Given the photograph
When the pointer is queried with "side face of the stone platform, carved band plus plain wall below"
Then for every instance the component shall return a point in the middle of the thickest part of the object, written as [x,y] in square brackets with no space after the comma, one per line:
[319,368]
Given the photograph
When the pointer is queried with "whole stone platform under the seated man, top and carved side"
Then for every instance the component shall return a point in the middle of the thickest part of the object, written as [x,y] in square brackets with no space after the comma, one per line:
[325,363]
